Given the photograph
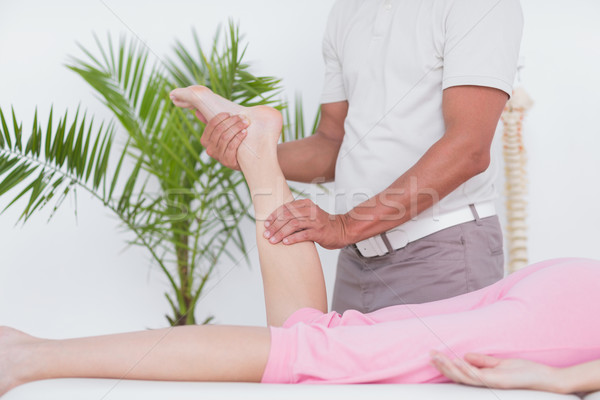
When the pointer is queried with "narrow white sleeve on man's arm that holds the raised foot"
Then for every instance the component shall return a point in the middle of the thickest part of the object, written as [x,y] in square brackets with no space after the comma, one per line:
[333,89]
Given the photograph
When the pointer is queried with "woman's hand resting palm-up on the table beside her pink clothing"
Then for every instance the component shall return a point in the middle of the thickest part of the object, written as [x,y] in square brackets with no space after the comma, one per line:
[492,372]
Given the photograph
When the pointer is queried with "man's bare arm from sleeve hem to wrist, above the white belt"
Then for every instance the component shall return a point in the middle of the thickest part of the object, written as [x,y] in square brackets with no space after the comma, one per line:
[471,114]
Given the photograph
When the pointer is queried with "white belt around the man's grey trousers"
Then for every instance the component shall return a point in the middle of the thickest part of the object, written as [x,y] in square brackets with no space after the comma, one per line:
[412,230]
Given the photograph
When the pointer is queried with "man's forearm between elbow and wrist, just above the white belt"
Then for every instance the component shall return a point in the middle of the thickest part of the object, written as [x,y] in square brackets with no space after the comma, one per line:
[443,168]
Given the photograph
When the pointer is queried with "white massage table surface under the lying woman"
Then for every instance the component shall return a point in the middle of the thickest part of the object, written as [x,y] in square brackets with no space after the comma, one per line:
[108,389]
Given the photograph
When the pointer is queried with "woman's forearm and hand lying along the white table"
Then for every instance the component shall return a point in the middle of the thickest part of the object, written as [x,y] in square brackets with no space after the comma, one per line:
[487,371]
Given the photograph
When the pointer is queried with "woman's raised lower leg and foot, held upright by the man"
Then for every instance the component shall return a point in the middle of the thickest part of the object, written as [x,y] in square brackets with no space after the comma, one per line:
[292,275]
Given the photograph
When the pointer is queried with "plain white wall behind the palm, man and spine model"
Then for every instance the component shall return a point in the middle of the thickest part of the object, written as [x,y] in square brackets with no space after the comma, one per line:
[71,278]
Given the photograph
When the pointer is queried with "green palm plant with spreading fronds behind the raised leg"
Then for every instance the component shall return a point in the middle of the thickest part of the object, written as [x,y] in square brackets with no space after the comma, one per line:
[183,207]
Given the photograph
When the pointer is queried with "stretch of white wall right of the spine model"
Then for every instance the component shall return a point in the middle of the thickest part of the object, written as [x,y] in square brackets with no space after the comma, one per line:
[561,47]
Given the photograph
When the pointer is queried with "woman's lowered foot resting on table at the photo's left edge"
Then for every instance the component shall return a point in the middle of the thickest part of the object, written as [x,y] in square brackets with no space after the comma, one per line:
[15,348]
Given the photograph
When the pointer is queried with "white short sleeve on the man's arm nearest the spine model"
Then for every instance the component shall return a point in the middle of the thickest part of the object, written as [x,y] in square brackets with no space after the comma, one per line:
[482,43]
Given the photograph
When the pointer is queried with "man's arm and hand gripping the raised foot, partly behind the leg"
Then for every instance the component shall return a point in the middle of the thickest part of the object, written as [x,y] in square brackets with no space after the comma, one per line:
[306,160]
